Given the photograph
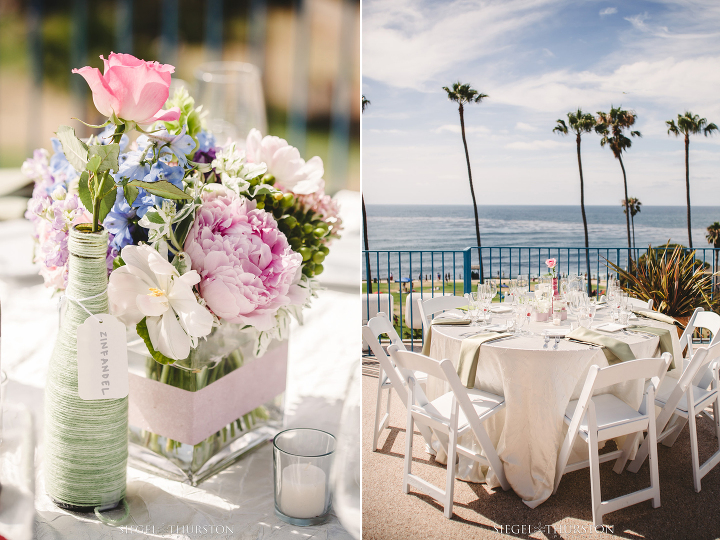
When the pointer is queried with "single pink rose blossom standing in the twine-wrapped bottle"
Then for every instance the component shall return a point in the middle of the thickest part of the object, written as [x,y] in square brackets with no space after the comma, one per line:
[133,89]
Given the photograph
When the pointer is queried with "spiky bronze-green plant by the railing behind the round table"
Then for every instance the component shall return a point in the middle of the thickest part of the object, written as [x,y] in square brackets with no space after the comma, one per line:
[672,279]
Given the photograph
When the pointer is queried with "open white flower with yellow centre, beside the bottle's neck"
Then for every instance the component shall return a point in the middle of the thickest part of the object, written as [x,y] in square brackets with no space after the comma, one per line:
[150,287]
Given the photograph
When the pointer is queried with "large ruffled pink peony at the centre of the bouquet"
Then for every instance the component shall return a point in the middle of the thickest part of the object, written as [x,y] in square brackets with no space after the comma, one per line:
[244,261]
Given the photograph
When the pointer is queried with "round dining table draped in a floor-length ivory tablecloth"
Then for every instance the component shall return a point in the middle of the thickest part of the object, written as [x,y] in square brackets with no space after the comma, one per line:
[538,379]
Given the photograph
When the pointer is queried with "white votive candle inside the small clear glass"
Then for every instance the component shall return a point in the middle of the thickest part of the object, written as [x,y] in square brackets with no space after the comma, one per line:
[302,494]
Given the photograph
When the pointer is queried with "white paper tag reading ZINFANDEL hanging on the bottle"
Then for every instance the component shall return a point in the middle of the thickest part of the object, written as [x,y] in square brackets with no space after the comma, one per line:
[102,358]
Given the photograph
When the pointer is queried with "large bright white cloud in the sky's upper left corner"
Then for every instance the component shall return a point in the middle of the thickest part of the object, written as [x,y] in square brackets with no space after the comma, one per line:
[407,46]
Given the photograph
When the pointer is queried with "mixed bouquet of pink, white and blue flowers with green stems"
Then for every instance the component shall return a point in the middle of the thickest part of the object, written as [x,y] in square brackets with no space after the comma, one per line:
[213,249]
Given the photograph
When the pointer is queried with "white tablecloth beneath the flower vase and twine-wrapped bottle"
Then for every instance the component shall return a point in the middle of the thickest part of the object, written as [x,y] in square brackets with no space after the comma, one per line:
[238,502]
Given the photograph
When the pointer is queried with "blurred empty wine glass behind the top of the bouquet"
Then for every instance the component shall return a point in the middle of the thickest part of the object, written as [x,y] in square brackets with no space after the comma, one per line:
[232,94]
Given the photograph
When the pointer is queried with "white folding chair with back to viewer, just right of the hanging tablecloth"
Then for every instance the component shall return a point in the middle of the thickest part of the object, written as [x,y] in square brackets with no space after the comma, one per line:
[597,418]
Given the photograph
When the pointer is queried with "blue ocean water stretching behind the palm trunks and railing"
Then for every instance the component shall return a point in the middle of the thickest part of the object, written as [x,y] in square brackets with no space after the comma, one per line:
[433,228]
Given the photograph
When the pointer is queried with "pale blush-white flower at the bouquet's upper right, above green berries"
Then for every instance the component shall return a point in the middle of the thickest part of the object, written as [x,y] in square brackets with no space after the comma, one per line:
[285,164]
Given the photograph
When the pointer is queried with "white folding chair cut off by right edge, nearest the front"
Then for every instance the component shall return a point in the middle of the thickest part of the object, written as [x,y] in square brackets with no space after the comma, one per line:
[681,401]
